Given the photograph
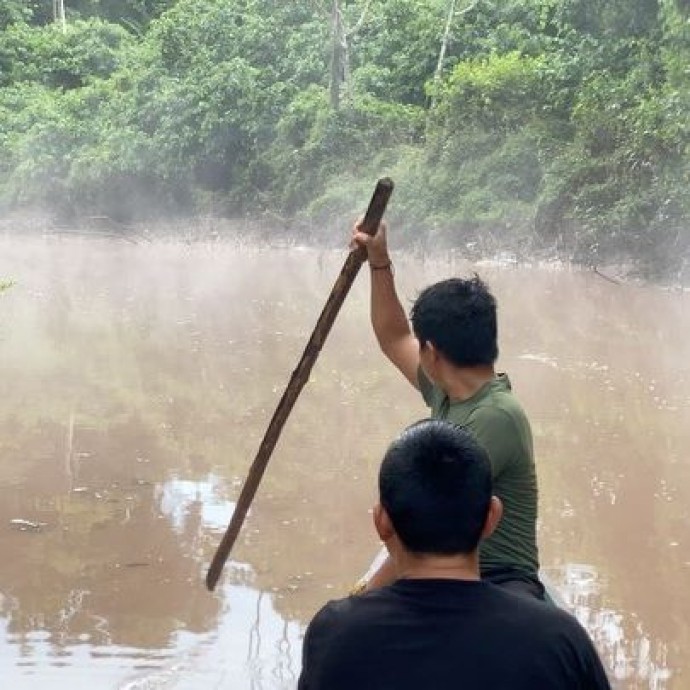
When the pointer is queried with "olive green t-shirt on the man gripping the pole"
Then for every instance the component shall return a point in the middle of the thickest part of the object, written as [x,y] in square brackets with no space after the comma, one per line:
[496,419]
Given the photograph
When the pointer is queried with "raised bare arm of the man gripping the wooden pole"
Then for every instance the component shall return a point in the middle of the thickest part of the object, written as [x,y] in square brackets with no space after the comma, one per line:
[388,318]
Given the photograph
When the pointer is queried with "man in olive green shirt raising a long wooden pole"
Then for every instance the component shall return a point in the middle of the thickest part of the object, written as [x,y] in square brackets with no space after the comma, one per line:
[448,353]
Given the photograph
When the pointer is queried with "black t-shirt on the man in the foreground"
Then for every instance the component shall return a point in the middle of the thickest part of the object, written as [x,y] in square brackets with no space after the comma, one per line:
[447,634]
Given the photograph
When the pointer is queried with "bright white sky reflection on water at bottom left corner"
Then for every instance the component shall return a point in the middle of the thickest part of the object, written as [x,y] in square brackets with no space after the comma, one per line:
[254,648]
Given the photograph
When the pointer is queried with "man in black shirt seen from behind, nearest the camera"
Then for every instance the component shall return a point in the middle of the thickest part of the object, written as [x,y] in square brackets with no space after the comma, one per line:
[438,626]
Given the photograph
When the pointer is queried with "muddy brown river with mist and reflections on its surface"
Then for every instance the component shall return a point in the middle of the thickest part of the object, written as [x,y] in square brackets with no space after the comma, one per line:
[137,380]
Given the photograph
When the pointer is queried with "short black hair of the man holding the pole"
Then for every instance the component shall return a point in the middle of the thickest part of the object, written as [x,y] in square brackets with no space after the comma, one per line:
[458,316]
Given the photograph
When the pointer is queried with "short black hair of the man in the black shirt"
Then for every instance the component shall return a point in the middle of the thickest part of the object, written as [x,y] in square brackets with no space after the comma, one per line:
[435,484]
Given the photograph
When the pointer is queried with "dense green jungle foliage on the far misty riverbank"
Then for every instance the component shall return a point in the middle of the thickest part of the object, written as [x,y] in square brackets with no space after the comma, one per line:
[541,127]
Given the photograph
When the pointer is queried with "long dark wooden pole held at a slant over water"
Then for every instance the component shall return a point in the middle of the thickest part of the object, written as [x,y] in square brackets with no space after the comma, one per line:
[299,377]
